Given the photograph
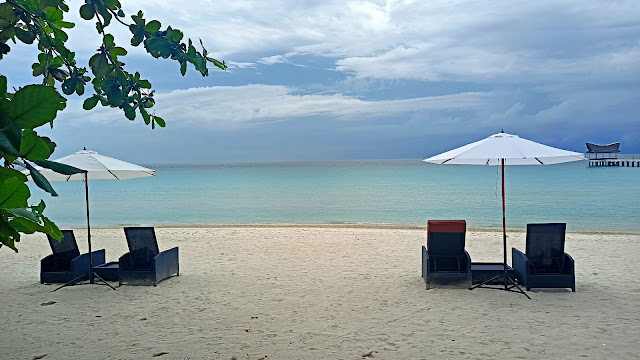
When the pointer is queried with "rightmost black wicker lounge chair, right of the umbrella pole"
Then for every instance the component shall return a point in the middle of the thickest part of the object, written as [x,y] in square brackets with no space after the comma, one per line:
[545,264]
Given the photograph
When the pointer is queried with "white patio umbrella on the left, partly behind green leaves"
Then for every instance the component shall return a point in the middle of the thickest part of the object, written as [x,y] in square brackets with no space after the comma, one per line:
[96,167]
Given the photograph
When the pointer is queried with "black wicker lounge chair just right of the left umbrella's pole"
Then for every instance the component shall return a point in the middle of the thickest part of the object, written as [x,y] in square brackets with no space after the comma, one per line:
[144,264]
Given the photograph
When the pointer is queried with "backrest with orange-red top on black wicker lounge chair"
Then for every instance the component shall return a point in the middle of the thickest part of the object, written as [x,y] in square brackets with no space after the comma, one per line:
[446,237]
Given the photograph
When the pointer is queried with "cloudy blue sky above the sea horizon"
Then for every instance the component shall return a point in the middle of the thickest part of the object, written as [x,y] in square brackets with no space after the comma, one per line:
[338,80]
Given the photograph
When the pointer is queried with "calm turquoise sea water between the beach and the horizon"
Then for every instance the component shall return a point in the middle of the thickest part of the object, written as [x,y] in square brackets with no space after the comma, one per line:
[399,192]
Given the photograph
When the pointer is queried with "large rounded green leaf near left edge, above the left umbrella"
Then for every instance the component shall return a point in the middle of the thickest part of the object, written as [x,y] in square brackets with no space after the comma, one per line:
[34,105]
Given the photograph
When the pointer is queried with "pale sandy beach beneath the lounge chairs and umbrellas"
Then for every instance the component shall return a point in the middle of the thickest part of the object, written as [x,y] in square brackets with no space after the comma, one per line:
[320,293]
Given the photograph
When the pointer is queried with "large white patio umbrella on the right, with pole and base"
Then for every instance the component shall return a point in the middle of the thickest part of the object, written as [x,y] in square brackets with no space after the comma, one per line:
[505,149]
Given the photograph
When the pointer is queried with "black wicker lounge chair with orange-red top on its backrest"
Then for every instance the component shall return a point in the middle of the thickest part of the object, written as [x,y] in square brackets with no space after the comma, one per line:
[444,260]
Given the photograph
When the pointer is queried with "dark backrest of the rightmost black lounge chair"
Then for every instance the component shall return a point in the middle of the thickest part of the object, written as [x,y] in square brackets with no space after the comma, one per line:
[545,243]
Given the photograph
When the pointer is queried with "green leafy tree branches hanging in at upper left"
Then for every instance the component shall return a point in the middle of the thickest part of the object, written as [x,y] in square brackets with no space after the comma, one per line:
[41,23]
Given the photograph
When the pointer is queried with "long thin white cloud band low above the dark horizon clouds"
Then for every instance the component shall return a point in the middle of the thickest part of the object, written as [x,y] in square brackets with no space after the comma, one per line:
[241,106]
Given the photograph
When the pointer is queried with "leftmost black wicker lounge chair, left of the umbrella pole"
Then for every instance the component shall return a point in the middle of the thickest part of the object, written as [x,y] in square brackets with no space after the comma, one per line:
[66,264]
